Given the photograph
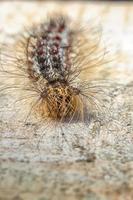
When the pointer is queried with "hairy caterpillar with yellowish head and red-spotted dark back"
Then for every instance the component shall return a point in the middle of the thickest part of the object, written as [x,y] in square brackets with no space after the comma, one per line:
[53,70]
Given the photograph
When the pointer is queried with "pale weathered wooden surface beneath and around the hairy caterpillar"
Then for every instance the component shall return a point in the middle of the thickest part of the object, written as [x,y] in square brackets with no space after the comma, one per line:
[76,162]
